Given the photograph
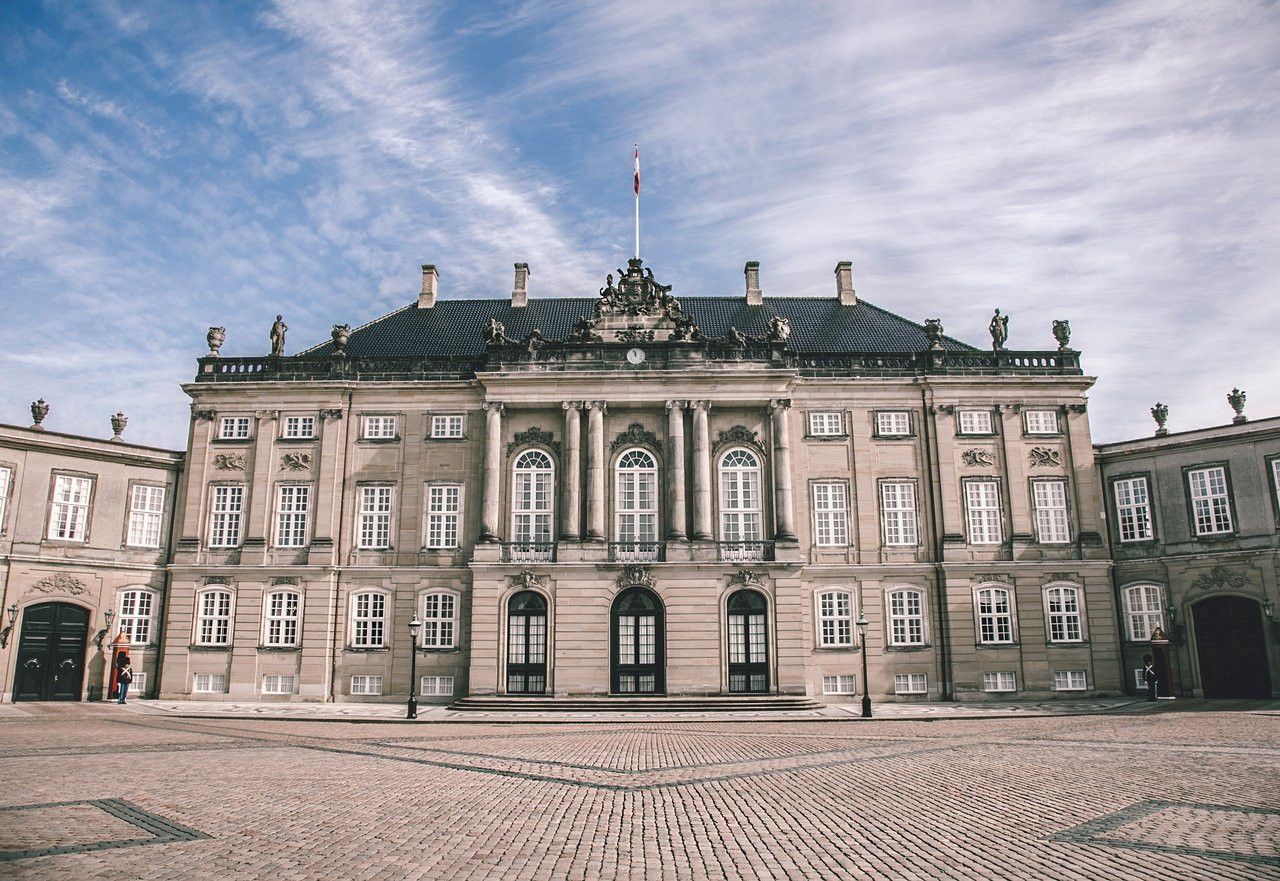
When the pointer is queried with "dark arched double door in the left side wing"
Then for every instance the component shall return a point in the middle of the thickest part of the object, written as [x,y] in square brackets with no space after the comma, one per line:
[52,652]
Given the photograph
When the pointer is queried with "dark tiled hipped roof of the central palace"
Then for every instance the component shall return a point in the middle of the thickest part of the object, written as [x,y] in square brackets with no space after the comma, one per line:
[454,328]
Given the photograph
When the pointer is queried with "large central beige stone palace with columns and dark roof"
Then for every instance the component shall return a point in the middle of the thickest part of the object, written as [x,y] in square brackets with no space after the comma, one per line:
[633,495]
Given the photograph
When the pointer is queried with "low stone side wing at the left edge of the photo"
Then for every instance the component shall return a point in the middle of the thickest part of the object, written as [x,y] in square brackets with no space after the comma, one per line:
[85,531]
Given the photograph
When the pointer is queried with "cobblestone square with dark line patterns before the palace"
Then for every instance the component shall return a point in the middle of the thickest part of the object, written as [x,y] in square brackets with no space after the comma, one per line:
[100,792]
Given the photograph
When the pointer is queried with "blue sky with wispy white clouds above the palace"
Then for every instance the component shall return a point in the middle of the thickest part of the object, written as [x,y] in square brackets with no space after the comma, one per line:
[167,167]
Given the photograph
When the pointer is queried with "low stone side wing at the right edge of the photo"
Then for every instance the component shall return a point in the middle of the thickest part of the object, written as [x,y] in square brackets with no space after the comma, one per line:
[1197,553]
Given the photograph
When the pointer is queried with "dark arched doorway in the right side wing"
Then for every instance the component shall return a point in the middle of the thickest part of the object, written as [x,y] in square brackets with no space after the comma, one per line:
[1232,647]
